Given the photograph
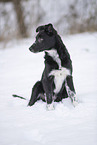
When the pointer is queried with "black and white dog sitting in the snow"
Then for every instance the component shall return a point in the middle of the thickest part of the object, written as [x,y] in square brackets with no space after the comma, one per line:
[56,82]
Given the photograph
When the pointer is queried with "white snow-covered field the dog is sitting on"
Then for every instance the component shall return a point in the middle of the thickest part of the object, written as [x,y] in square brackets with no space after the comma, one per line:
[66,125]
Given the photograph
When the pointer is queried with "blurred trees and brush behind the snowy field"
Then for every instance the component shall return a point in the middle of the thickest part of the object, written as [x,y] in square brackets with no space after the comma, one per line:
[19,18]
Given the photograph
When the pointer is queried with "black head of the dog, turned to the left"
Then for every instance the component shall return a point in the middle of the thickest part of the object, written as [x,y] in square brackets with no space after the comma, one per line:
[45,39]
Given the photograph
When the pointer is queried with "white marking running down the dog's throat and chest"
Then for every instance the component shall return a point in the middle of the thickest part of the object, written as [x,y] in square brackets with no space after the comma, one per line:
[60,74]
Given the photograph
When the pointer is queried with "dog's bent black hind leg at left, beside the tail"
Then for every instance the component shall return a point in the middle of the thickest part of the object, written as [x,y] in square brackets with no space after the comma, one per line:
[37,90]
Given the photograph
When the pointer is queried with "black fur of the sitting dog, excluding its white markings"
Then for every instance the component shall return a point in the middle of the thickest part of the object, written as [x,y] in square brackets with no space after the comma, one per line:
[48,39]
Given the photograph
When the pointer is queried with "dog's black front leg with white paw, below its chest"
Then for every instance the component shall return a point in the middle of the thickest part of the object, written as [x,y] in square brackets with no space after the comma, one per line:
[48,85]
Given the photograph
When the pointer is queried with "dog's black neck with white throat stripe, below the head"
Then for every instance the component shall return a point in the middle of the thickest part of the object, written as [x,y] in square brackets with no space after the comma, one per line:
[59,54]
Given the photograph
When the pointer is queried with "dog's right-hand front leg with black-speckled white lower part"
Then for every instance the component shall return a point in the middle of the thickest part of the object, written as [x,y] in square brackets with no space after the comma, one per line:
[71,91]
